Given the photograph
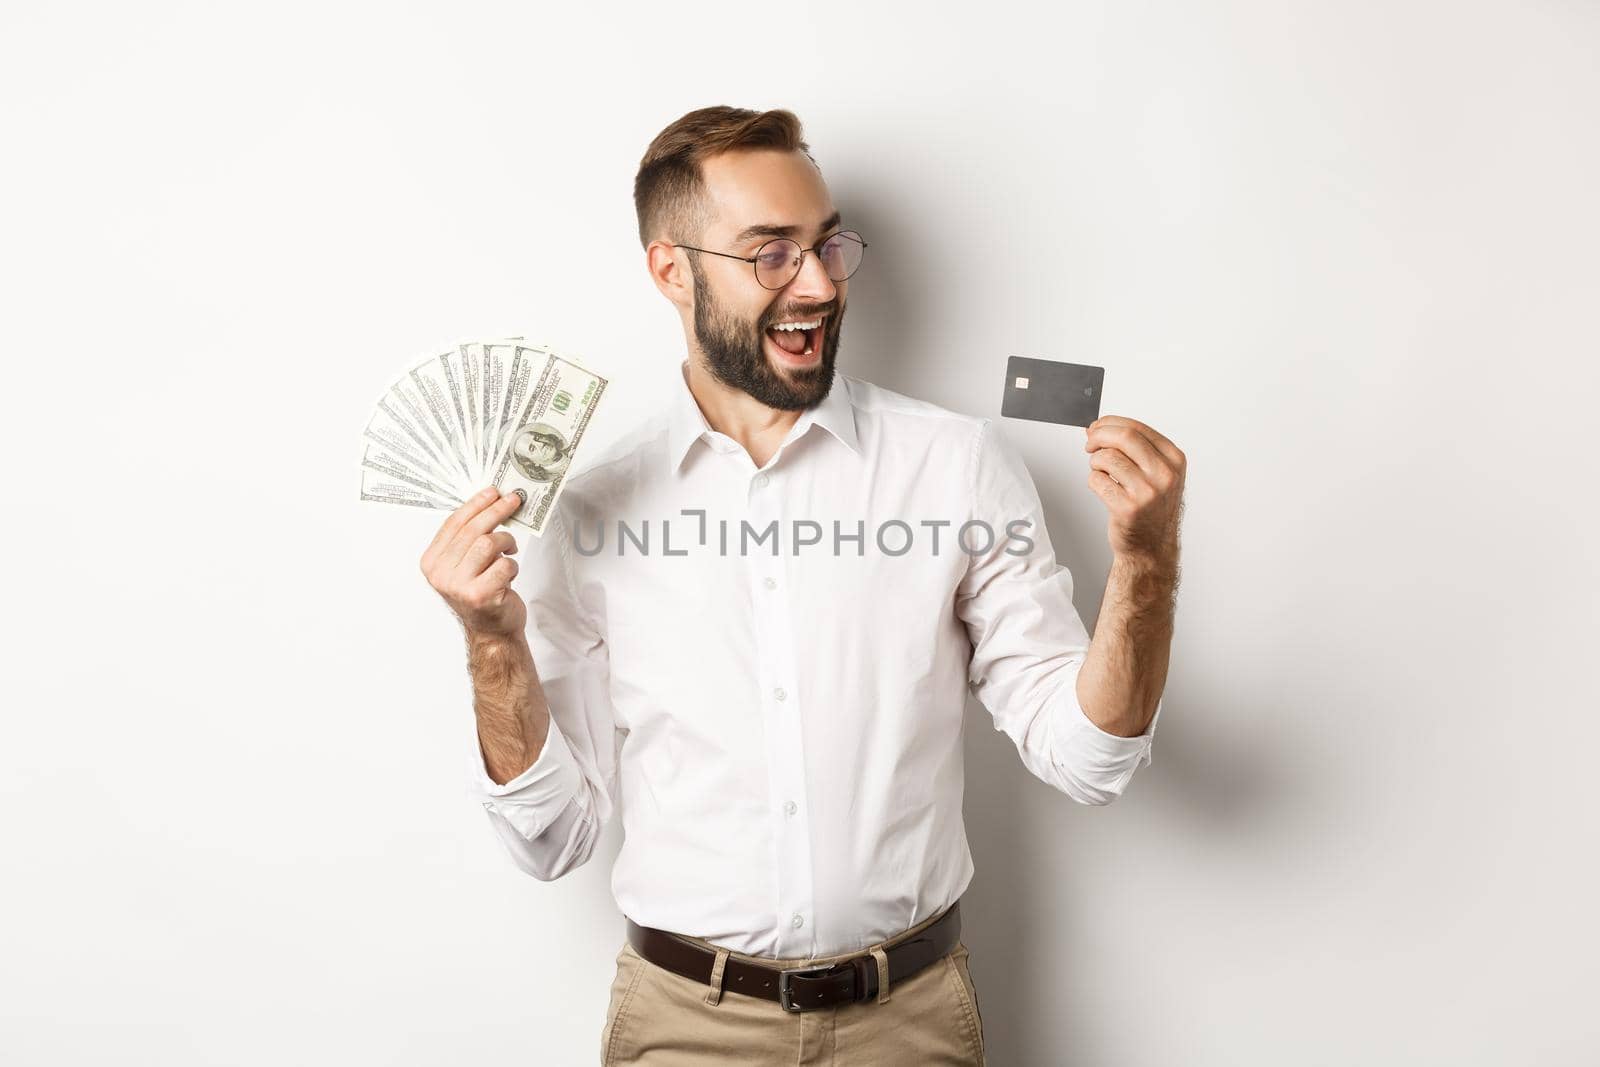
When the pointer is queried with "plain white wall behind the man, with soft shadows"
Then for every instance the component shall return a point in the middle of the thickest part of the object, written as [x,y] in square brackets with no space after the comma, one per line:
[1345,255]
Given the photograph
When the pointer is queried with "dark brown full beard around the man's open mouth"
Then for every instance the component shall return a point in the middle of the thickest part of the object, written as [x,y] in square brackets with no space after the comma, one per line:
[737,354]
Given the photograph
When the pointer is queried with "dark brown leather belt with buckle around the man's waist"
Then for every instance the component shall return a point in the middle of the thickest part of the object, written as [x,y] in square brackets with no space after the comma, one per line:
[802,989]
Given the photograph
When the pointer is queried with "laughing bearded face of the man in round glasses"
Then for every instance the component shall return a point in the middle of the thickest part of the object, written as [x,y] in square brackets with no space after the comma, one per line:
[734,313]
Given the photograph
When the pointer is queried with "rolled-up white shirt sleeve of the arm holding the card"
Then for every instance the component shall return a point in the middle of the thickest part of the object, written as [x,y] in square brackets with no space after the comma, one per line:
[1030,642]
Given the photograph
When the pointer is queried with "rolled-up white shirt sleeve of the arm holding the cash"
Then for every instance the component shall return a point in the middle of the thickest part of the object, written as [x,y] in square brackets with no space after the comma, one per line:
[551,815]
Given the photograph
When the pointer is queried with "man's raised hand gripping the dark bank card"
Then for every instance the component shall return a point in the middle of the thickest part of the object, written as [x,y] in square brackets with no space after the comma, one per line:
[1140,476]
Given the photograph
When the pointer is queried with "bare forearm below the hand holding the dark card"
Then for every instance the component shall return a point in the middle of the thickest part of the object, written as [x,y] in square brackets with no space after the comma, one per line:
[1126,669]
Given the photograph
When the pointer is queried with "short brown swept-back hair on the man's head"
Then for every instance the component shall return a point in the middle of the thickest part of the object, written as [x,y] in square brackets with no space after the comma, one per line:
[670,191]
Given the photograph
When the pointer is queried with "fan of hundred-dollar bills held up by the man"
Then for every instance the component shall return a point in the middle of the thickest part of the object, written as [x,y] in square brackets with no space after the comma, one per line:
[502,414]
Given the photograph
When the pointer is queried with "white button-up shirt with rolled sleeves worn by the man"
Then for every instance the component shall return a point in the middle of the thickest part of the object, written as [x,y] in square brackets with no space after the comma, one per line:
[764,671]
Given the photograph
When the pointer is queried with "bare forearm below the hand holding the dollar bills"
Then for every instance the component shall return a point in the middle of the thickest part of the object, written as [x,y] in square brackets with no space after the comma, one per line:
[513,714]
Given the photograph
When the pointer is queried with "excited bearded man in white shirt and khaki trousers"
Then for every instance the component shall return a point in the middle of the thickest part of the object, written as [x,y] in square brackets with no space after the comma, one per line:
[780,725]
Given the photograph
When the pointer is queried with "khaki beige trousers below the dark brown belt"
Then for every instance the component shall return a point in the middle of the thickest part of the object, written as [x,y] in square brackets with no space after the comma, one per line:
[663,1020]
